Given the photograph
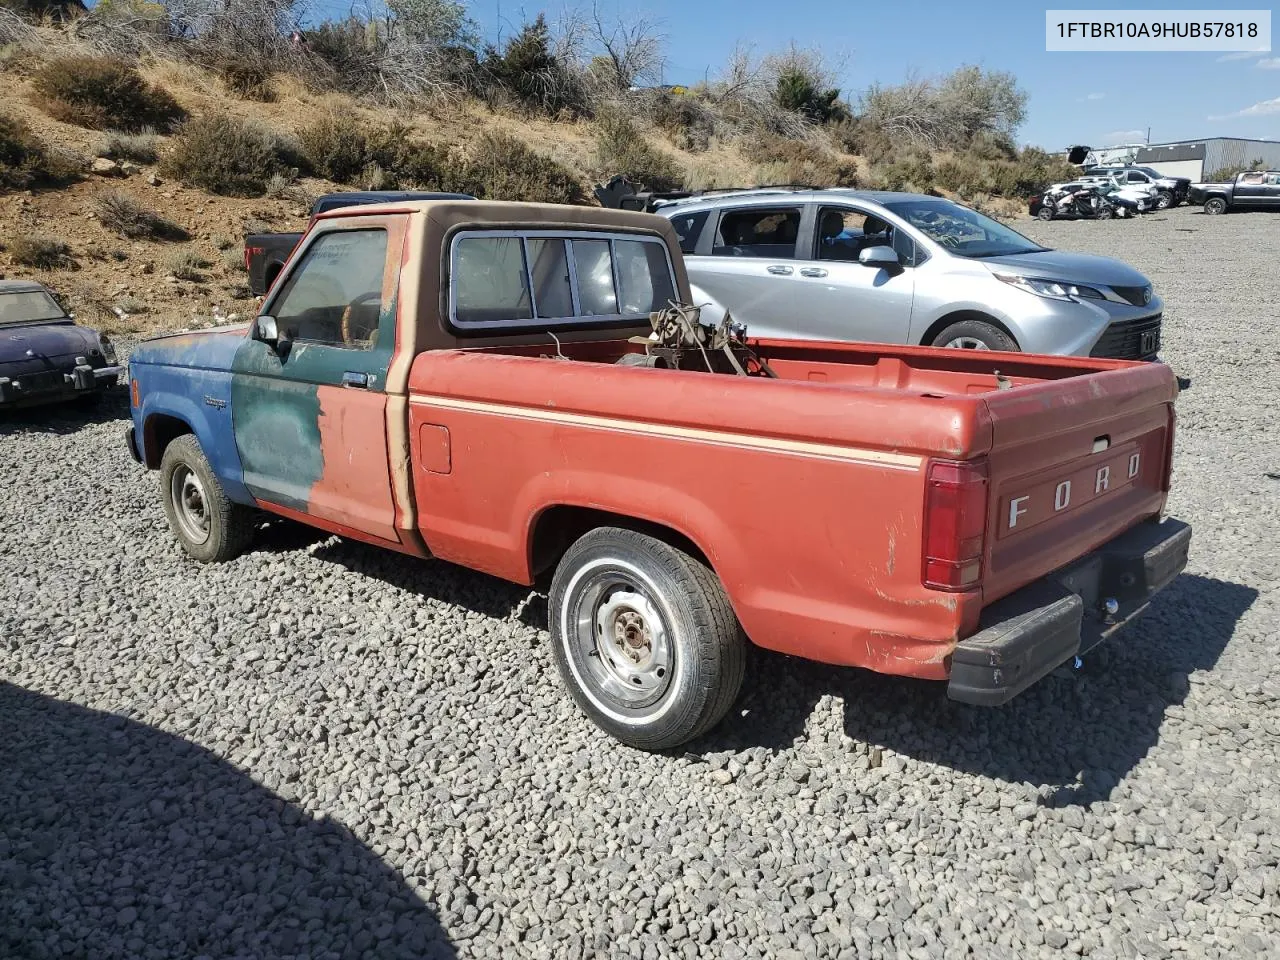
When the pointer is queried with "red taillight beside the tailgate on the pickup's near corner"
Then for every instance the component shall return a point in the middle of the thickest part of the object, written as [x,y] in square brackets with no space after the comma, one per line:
[956,524]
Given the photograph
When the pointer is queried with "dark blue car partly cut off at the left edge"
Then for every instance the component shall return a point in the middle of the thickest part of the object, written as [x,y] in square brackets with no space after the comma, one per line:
[45,356]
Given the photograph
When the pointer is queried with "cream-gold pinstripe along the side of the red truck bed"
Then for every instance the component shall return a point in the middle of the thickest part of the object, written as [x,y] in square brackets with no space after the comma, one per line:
[804,449]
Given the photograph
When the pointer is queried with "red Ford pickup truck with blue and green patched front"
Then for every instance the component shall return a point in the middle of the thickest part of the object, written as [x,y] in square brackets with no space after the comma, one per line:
[514,388]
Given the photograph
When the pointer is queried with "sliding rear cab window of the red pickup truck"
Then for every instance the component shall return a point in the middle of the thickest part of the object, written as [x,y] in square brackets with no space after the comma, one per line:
[541,278]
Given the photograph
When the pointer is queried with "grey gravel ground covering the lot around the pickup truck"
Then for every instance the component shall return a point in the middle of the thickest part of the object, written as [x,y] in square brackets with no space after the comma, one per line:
[327,751]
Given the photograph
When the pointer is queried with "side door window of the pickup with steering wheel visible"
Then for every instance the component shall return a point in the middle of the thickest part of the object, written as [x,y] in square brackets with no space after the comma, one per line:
[335,296]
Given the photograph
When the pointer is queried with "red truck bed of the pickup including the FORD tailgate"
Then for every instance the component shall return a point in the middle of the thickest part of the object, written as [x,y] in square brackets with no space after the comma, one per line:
[830,569]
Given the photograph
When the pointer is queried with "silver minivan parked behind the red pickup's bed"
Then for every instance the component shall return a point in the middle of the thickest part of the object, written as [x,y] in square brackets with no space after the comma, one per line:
[904,268]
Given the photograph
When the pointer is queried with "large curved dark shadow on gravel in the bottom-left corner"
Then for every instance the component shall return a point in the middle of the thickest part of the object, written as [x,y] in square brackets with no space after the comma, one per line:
[118,840]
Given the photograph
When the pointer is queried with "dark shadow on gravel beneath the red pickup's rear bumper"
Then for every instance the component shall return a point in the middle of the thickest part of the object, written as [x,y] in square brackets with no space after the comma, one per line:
[1073,737]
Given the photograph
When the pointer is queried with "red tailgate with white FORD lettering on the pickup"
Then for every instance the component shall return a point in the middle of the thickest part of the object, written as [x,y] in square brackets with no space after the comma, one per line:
[1073,464]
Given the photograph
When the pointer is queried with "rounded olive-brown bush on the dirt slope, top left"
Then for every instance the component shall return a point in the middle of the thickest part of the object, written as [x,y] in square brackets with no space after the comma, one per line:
[99,93]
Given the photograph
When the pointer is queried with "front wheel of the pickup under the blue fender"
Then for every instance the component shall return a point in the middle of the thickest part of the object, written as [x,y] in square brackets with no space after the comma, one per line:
[209,527]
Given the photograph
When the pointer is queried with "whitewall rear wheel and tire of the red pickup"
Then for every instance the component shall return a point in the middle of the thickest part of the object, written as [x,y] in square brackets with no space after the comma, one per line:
[644,639]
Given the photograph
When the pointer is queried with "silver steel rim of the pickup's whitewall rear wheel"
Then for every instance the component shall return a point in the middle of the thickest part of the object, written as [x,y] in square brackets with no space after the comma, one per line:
[620,641]
